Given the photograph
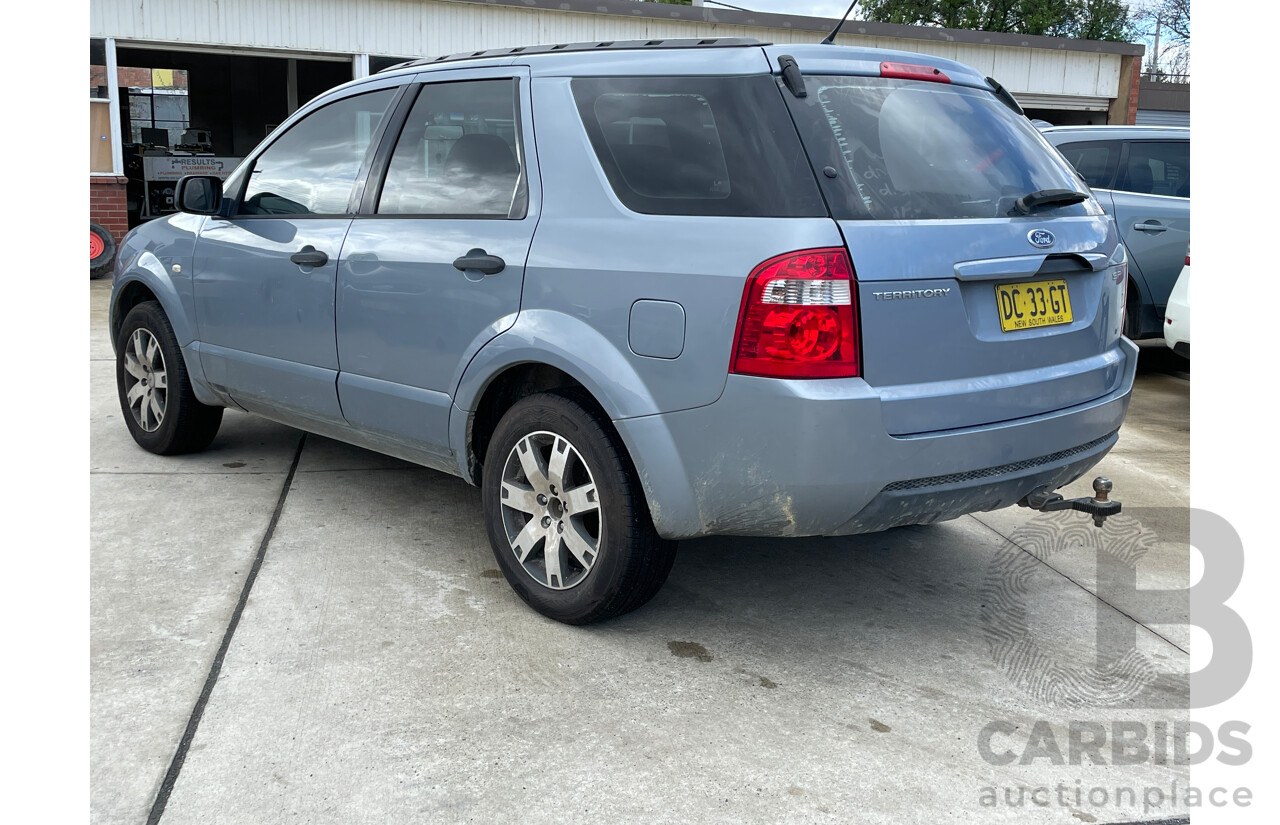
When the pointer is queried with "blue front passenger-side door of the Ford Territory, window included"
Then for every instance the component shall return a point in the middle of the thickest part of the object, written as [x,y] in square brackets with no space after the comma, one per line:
[264,278]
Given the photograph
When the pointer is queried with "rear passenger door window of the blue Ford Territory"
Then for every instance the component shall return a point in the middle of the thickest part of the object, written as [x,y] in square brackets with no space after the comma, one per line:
[459,154]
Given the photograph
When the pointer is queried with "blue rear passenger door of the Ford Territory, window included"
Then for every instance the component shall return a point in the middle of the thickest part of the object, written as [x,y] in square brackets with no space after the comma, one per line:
[435,264]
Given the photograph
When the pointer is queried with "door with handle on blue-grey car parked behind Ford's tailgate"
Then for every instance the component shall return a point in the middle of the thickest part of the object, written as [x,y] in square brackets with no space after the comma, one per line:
[1153,208]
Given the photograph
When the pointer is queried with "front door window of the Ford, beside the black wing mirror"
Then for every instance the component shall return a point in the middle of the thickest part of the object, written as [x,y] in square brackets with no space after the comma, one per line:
[312,168]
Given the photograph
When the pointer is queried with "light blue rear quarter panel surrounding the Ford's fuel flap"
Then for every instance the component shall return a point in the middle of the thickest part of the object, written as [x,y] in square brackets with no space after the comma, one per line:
[592,260]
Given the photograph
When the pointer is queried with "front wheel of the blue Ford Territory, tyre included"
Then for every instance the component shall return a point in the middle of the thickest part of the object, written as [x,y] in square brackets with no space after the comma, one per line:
[159,406]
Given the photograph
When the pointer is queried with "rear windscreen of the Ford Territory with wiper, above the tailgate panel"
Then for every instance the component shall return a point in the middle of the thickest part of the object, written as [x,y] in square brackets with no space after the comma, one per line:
[915,150]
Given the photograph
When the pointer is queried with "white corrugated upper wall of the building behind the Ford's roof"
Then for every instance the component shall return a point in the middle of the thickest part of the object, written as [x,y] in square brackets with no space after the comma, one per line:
[436,27]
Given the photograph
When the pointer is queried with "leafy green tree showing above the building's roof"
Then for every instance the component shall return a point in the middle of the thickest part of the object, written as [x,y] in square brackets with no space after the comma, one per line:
[1090,20]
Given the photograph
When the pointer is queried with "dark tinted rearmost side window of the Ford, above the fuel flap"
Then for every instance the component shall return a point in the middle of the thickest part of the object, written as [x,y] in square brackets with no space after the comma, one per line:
[700,146]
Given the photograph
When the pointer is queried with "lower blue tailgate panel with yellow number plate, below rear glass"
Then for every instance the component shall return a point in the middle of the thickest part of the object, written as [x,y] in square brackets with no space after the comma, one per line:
[931,315]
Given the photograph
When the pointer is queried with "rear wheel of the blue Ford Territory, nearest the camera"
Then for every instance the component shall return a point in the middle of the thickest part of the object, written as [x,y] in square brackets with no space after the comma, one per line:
[566,516]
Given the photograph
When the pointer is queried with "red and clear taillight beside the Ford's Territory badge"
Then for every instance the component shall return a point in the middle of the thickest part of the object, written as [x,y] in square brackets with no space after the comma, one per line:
[798,319]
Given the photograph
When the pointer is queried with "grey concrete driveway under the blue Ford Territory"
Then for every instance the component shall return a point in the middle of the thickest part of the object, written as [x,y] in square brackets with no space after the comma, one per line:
[381,671]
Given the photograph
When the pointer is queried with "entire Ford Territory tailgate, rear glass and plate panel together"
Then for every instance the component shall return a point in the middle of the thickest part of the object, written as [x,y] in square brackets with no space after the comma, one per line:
[972,311]
